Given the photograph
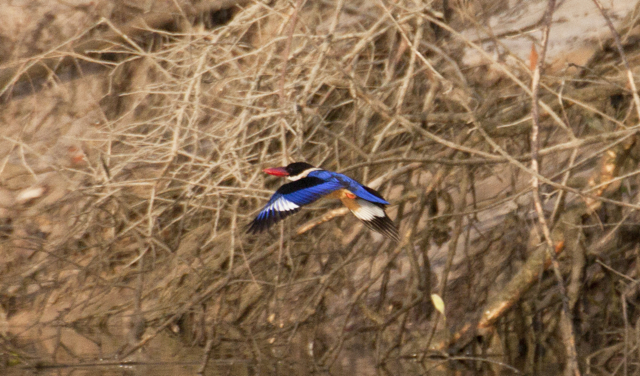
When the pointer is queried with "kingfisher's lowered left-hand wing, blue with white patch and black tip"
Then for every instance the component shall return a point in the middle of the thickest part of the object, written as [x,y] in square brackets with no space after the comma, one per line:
[289,198]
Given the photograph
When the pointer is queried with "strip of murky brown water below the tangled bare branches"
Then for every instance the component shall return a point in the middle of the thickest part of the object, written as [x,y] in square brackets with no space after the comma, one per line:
[89,351]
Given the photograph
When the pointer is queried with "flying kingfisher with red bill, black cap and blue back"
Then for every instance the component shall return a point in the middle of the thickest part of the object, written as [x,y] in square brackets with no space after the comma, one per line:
[310,183]
